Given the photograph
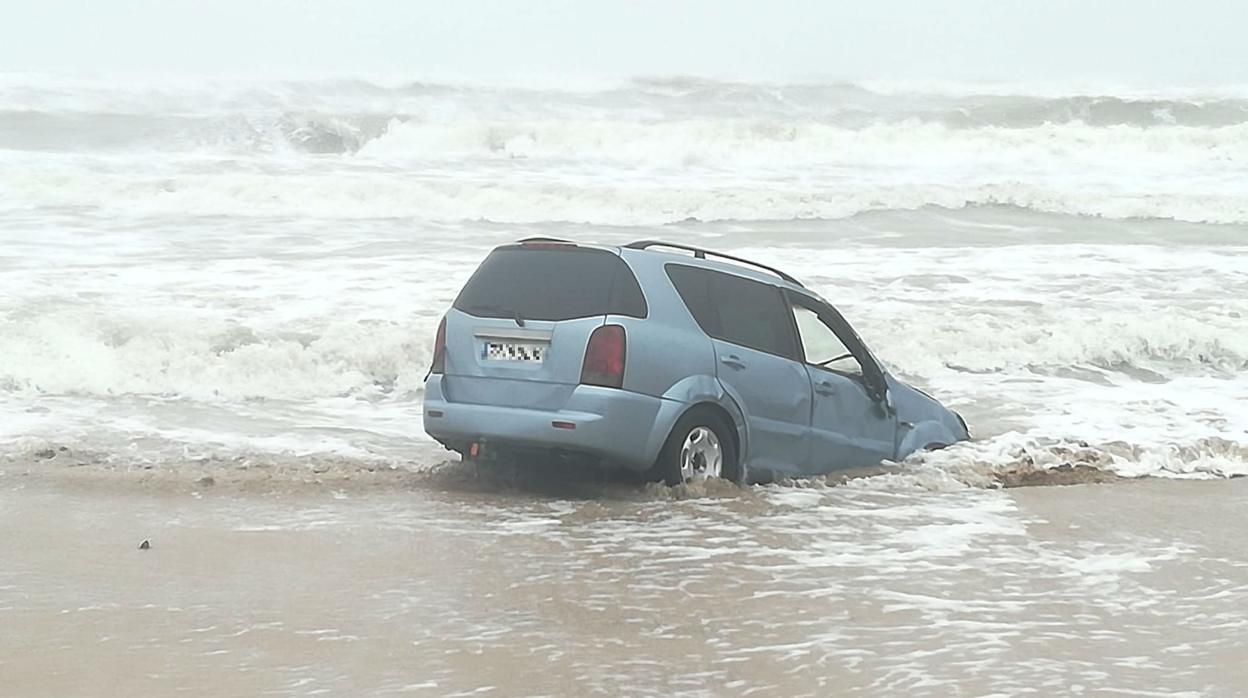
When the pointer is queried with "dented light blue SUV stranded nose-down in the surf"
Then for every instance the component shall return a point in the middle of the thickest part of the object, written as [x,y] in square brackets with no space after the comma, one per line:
[667,360]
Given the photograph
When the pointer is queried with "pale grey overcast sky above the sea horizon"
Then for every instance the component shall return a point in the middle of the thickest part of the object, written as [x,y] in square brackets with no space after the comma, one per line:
[1141,43]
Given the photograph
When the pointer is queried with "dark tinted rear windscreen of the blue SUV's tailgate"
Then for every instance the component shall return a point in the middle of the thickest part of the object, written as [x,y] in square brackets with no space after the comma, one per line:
[552,284]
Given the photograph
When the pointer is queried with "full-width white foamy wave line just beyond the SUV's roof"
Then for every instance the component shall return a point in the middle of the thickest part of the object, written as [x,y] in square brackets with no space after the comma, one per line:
[435,199]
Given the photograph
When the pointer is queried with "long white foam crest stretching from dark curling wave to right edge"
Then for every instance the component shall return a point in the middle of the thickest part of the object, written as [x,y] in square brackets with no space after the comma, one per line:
[782,143]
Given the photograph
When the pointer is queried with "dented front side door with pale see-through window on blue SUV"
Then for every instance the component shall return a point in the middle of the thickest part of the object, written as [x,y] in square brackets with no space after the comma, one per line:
[851,425]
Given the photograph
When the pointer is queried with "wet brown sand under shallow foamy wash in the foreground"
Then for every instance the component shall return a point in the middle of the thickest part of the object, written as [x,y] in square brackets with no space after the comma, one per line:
[434,589]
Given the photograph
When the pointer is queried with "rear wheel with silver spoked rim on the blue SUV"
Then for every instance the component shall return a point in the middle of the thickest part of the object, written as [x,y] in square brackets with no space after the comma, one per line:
[706,434]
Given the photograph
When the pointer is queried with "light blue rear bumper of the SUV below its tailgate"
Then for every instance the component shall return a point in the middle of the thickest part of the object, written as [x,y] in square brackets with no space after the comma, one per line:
[622,428]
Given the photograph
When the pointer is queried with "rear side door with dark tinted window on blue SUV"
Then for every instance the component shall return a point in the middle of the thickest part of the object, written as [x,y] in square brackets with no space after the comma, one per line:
[757,361]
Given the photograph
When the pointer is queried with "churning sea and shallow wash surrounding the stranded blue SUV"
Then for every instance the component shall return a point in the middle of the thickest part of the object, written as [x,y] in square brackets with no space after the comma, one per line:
[217,310]
